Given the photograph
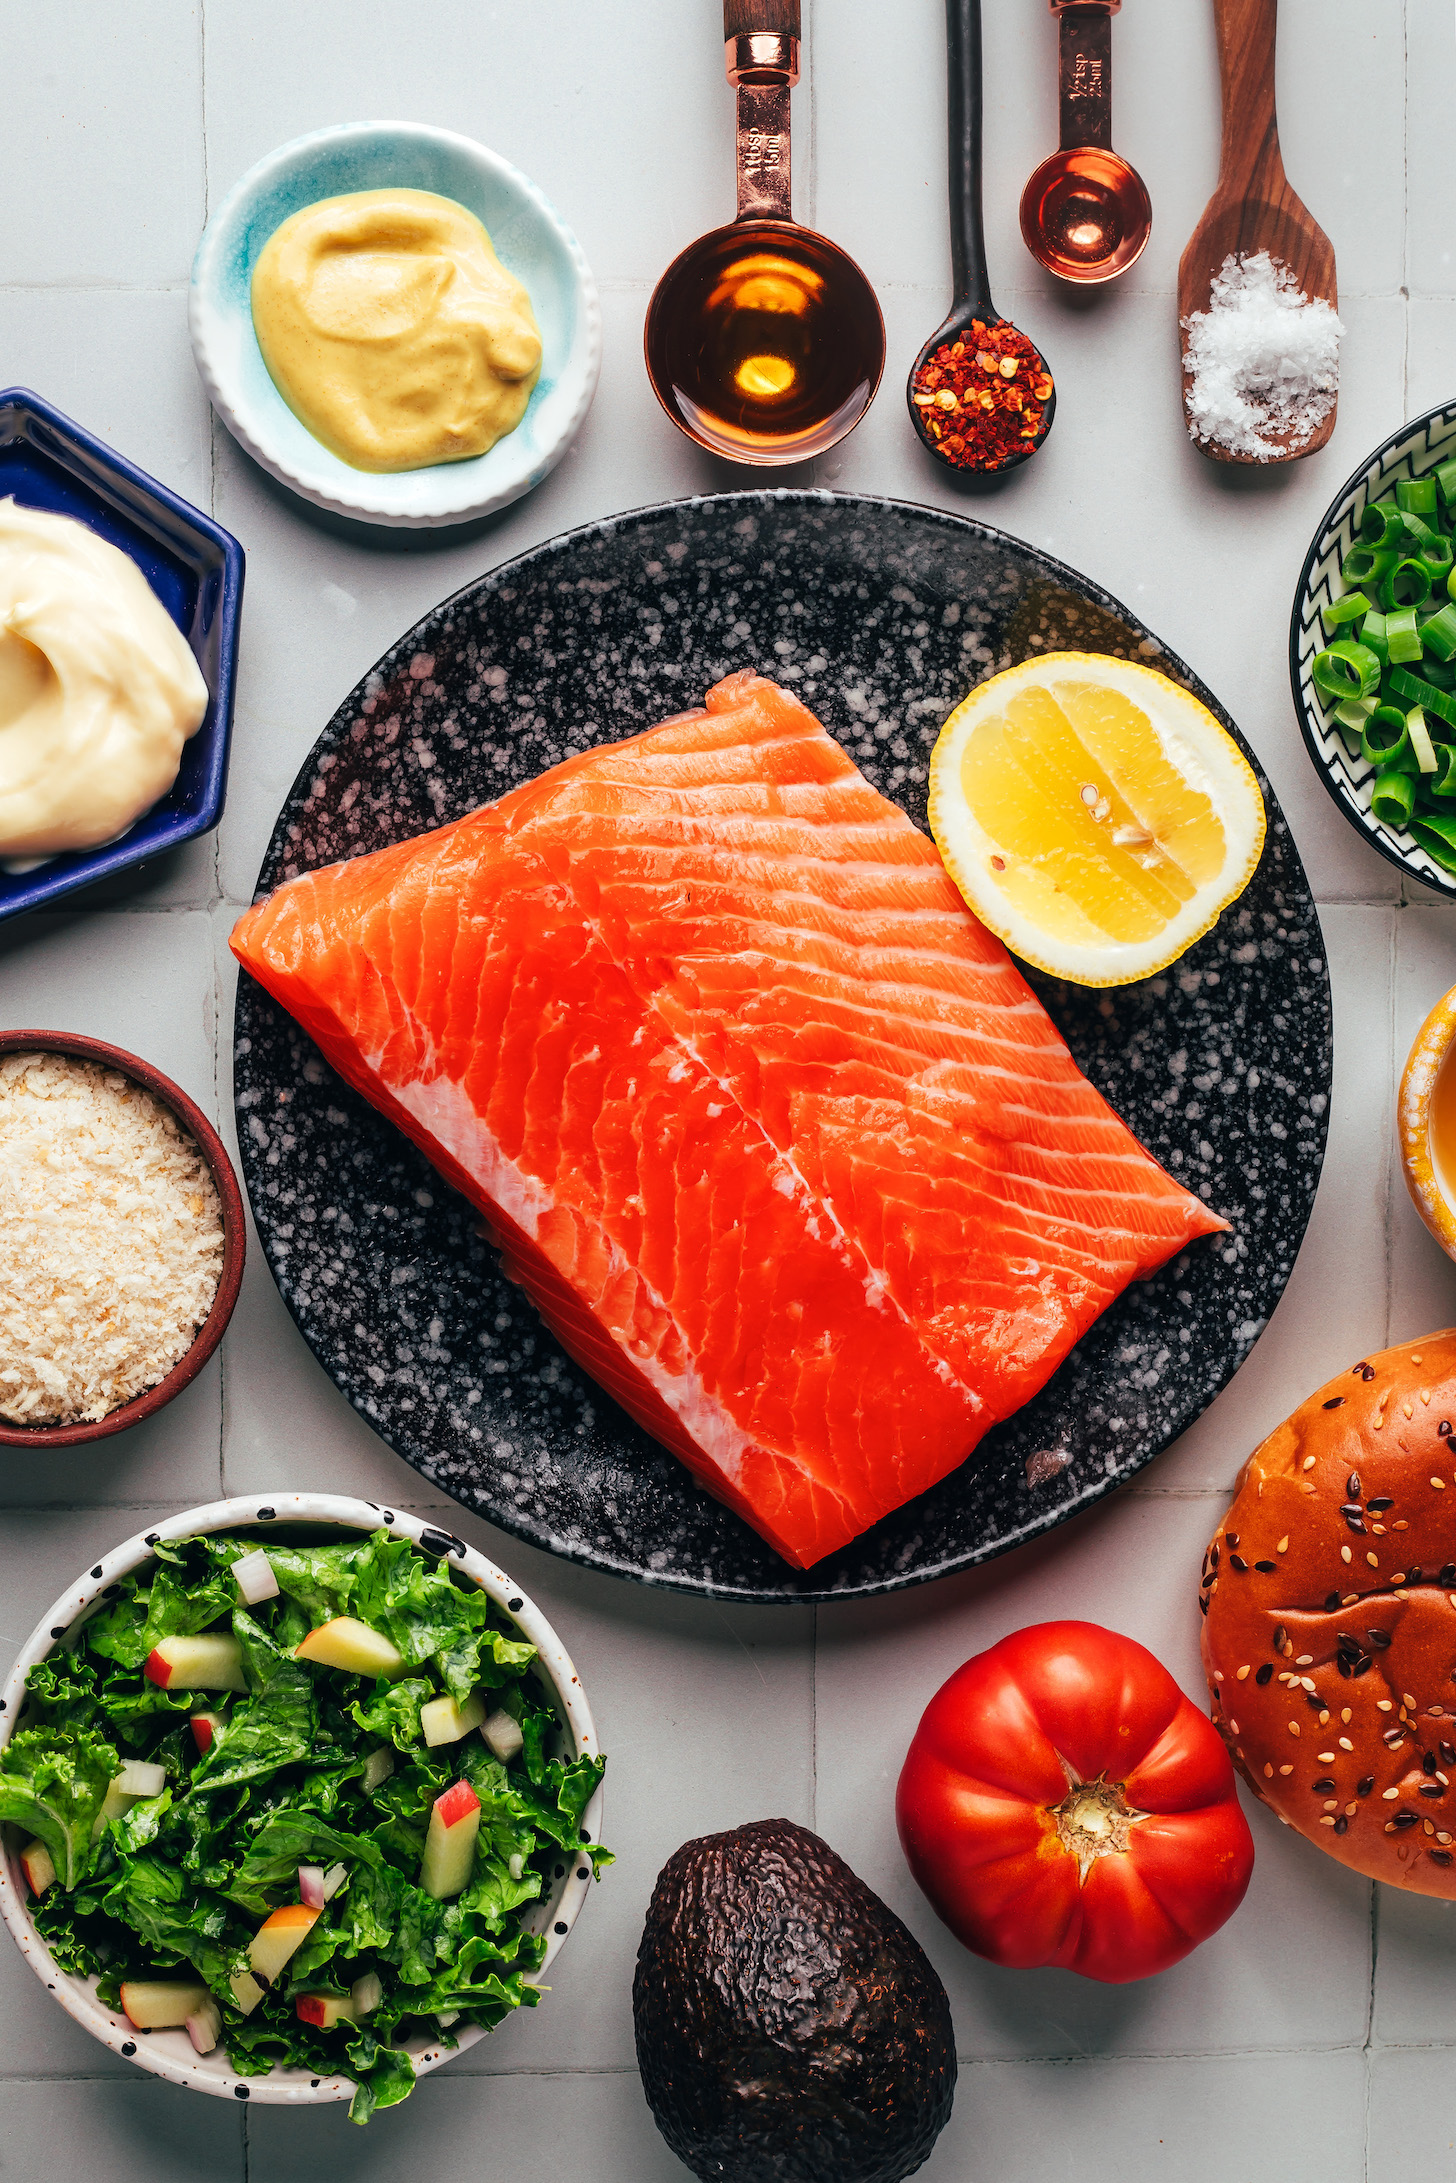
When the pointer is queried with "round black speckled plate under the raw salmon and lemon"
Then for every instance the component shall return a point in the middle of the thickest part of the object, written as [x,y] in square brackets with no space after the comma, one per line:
[881,617]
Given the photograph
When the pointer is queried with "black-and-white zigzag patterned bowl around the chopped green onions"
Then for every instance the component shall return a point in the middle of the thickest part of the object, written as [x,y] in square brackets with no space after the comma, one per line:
[1411,453]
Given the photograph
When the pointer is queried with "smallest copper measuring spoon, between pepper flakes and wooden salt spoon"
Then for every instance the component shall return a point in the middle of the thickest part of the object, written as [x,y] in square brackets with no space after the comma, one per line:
[1086,213]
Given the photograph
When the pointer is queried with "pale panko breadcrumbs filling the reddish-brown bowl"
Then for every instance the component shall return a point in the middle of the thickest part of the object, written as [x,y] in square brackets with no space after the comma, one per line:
[110,1241]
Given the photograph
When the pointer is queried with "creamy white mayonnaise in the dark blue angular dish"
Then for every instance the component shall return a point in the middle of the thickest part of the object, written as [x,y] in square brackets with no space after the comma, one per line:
[97,689]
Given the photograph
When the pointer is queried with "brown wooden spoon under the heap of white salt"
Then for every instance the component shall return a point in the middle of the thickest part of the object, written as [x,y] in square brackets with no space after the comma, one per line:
[1254,206]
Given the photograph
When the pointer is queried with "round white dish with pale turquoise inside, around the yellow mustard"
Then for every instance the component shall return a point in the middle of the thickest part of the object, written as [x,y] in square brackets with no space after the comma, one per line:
[532,239]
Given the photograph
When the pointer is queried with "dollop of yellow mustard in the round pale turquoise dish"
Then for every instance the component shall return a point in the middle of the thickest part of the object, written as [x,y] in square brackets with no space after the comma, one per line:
[394,331]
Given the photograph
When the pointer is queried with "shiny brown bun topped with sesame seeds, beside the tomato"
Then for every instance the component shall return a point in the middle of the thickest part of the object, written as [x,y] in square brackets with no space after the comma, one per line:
[1330,1619]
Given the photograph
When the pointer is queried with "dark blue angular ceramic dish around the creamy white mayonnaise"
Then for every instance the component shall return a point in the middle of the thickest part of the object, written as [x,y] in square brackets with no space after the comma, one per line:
[195,569]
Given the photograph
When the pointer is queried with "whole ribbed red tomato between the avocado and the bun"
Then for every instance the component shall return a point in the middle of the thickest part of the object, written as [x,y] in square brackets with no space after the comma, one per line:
[1066,1804]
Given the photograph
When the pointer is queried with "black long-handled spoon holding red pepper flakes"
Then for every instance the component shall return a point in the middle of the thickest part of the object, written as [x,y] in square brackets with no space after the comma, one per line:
[968,259]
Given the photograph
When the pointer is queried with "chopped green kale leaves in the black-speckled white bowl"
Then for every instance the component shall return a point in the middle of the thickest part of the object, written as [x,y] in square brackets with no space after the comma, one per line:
[315,1769]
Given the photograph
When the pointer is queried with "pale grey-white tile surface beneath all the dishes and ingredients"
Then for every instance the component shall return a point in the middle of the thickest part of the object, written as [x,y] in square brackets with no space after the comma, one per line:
[136,115]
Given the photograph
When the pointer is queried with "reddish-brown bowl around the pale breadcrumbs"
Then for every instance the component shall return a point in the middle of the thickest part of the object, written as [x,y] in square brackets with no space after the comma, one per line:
[235,1237]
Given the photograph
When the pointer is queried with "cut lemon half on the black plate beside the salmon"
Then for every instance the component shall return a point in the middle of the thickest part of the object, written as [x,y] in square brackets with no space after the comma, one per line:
[1095,815]
